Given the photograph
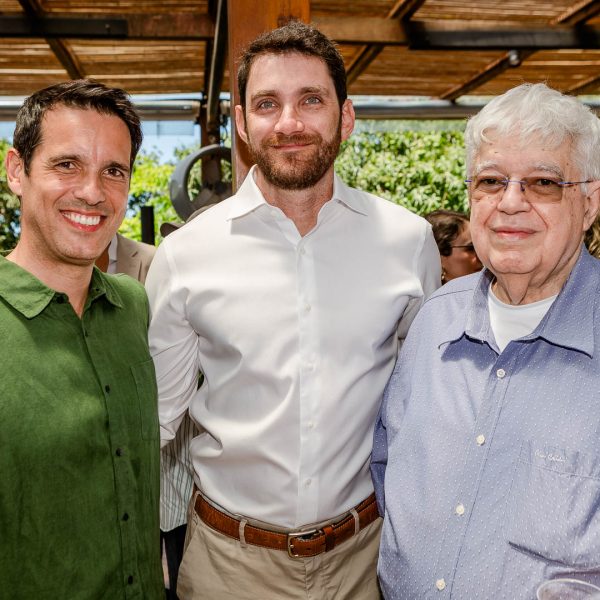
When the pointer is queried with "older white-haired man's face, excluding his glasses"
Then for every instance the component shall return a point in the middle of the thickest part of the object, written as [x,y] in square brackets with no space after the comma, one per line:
[533,243]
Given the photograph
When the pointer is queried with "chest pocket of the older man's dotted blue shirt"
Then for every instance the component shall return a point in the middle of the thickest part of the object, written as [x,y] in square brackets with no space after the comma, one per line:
[553,509]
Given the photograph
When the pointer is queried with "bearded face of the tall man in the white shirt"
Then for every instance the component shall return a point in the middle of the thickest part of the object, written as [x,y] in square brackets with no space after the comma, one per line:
[293,124]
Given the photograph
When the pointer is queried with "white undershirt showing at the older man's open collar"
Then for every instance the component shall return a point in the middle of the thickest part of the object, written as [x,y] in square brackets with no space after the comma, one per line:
[510,322]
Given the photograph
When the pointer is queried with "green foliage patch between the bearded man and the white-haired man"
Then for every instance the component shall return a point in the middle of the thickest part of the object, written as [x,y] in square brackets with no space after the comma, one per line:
[421,170]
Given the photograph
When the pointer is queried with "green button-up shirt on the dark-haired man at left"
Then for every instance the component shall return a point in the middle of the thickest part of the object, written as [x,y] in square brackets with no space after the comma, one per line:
[79,443]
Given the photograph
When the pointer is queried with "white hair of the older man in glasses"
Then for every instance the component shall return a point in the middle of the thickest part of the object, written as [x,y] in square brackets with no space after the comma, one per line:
[537,111]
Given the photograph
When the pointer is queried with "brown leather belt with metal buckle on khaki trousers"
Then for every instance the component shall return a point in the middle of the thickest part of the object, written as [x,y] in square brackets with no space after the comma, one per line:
[298,544]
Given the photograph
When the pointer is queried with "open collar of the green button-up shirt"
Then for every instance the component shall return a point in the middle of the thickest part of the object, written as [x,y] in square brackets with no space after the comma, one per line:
[27,294]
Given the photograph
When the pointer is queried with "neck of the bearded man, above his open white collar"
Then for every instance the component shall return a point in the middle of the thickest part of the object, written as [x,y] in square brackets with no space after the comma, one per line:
[300,206]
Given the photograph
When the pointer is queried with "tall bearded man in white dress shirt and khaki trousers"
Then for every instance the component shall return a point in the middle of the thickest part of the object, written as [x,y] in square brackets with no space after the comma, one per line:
[291,297]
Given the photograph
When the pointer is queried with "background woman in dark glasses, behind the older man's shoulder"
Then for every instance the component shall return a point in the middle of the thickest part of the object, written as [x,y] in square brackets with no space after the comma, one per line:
[453,236]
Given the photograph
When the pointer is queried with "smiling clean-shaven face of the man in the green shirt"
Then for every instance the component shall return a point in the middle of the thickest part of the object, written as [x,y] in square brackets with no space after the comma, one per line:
[75,195]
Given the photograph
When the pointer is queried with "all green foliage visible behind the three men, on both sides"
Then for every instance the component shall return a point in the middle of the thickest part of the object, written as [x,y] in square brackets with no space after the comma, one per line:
[420,169]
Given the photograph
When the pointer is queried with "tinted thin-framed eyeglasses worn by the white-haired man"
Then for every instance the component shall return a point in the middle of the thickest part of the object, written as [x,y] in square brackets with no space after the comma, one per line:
[541,189]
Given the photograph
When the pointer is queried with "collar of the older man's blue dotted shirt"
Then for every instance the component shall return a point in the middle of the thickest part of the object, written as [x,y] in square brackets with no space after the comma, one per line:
[569,322]
